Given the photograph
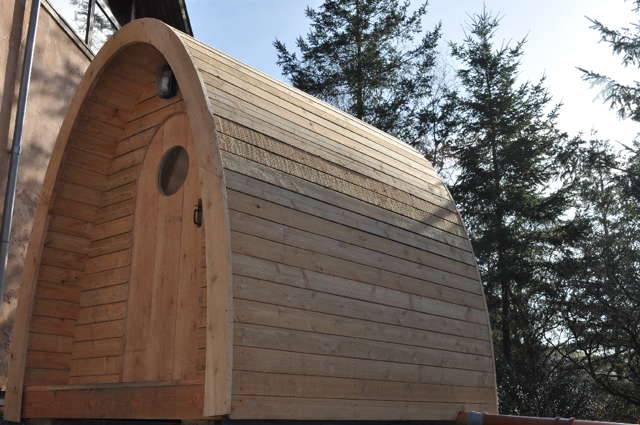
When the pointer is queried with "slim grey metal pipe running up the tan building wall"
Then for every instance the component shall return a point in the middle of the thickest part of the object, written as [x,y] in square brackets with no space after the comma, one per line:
[12,178]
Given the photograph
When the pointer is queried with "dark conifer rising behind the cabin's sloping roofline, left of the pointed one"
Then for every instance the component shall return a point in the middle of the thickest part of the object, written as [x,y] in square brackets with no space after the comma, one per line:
[372,59]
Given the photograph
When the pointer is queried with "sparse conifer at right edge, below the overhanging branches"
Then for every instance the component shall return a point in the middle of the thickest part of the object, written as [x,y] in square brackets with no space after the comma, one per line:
[601,275]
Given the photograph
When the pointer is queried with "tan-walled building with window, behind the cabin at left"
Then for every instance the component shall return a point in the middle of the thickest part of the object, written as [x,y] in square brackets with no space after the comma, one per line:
[69,34]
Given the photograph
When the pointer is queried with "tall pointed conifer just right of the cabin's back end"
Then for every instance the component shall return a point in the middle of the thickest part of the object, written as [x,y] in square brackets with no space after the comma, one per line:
[508,153]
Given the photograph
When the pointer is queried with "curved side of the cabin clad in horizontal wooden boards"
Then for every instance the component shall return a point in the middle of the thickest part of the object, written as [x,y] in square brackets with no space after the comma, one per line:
[356,294]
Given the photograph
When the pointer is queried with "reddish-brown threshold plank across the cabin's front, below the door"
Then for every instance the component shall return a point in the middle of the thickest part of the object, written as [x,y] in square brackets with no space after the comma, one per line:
[151,402]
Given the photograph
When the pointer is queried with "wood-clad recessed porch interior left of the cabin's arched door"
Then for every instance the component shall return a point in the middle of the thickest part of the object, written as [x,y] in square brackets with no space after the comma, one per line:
[80,309]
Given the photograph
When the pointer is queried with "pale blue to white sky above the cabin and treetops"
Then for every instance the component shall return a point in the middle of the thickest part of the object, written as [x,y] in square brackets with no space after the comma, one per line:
[557,32]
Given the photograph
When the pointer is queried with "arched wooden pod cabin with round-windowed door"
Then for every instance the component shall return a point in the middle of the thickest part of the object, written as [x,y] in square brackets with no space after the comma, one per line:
[240,249]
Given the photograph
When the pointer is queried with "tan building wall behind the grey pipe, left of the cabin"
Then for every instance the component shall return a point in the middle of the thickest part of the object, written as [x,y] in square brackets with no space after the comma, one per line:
[58,66]
